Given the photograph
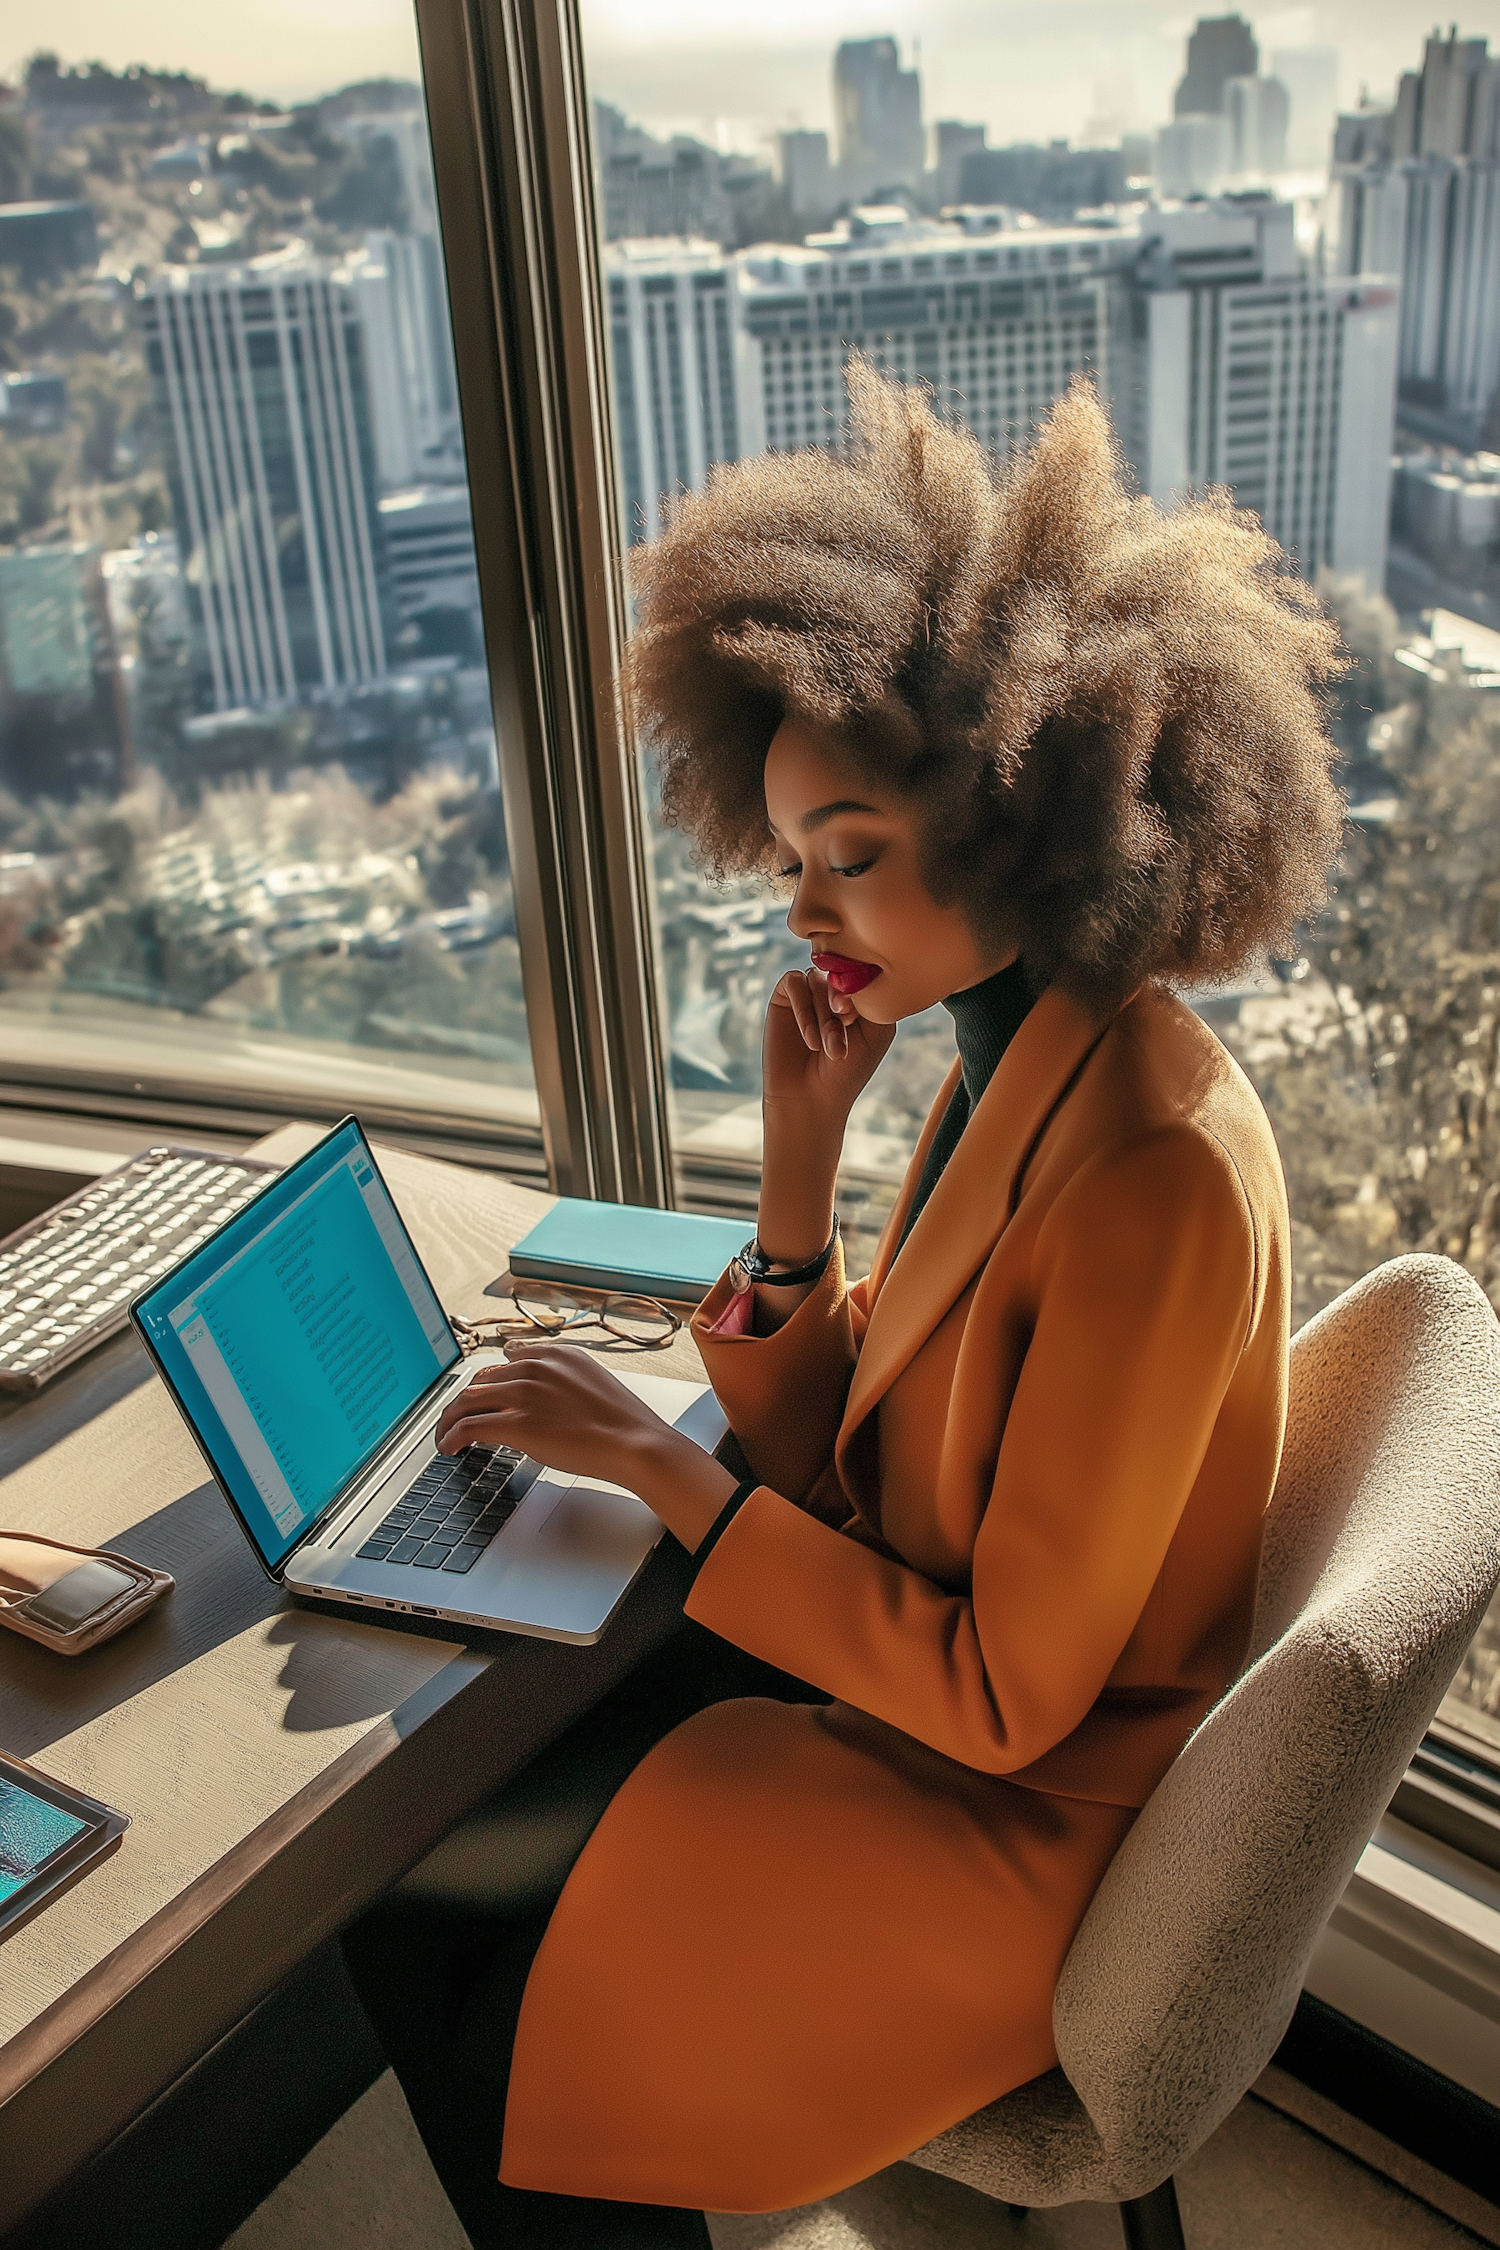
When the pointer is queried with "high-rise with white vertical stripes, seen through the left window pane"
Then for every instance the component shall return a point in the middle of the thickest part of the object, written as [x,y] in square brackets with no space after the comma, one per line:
[262,393]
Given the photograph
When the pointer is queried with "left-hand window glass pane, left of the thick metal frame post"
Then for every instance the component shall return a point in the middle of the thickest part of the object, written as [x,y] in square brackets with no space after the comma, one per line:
[251,834]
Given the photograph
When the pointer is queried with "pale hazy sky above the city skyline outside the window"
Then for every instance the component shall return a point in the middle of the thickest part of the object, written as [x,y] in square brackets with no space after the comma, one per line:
[732,69]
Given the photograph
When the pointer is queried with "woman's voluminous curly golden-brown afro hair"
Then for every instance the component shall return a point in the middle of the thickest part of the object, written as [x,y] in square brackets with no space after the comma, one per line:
[1112,717]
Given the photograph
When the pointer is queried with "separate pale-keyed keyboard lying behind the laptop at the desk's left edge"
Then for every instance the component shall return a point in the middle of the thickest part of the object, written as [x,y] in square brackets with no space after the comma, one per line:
[69,1277]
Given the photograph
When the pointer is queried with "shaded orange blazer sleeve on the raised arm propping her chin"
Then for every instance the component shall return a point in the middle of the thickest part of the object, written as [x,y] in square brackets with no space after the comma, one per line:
[784,1394]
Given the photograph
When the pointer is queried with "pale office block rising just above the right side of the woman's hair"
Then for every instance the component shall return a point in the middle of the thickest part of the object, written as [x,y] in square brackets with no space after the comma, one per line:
[1251,372]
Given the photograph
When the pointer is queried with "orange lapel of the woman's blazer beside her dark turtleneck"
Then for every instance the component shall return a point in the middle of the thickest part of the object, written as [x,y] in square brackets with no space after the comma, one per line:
[973,1203]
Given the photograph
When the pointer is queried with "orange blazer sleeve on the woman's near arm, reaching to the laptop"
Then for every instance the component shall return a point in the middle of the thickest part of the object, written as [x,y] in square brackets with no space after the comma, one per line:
[1144,1288]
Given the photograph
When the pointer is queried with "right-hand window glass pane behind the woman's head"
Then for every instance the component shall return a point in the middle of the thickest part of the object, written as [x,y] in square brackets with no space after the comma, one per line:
[770,201]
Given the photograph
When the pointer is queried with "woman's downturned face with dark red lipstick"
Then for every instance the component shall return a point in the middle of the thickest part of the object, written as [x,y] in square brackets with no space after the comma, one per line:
[878,935]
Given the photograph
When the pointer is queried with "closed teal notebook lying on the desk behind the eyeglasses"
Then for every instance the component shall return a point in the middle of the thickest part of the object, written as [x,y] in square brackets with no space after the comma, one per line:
[626,1248]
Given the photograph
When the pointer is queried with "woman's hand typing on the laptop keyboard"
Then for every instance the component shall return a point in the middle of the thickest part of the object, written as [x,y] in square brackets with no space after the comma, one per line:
[566,1410]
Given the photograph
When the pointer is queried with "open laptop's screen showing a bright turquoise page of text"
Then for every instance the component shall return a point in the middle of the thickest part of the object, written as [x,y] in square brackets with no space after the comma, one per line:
[298,1338]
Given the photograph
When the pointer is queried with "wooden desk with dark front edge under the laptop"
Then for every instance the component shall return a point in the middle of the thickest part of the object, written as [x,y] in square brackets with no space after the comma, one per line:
[280,1765]
